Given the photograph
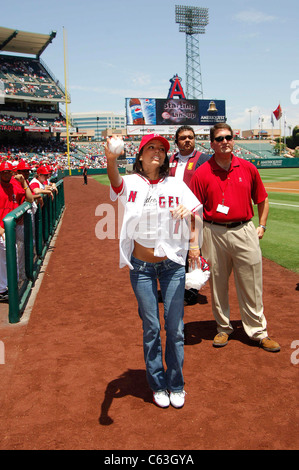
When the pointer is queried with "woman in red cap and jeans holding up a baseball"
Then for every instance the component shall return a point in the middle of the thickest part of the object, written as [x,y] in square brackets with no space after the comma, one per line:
[161,223]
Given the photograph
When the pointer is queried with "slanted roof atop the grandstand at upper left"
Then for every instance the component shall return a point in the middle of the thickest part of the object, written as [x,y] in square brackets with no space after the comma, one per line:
[22,42]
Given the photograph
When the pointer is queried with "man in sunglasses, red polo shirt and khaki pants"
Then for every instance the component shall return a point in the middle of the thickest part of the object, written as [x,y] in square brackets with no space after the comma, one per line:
[226,186]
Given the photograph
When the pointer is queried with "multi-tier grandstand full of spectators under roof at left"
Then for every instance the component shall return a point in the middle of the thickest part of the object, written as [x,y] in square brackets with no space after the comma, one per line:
[31,121]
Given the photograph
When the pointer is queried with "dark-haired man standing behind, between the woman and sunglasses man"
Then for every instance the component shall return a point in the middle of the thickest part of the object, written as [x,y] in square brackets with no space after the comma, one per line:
[182,165]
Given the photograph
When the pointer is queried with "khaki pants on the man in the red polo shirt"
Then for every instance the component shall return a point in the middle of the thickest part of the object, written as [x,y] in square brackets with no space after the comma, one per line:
[236,249]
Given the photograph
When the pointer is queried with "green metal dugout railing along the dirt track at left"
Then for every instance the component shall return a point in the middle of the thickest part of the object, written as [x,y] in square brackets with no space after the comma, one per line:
[37,228]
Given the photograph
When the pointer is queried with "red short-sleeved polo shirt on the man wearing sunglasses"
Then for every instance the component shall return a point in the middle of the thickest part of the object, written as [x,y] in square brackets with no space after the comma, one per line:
[235,189]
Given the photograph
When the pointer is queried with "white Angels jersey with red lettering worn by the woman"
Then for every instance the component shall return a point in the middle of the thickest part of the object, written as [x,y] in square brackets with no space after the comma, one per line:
[171,239]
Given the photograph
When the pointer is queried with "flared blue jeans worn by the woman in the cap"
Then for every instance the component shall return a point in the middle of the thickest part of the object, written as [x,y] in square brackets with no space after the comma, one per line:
[171,277]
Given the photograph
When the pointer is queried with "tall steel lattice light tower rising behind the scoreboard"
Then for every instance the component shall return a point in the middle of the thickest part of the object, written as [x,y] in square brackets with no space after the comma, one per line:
[192,21]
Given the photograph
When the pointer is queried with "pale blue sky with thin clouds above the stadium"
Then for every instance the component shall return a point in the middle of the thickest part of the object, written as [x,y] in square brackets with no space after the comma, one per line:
[117,49]
